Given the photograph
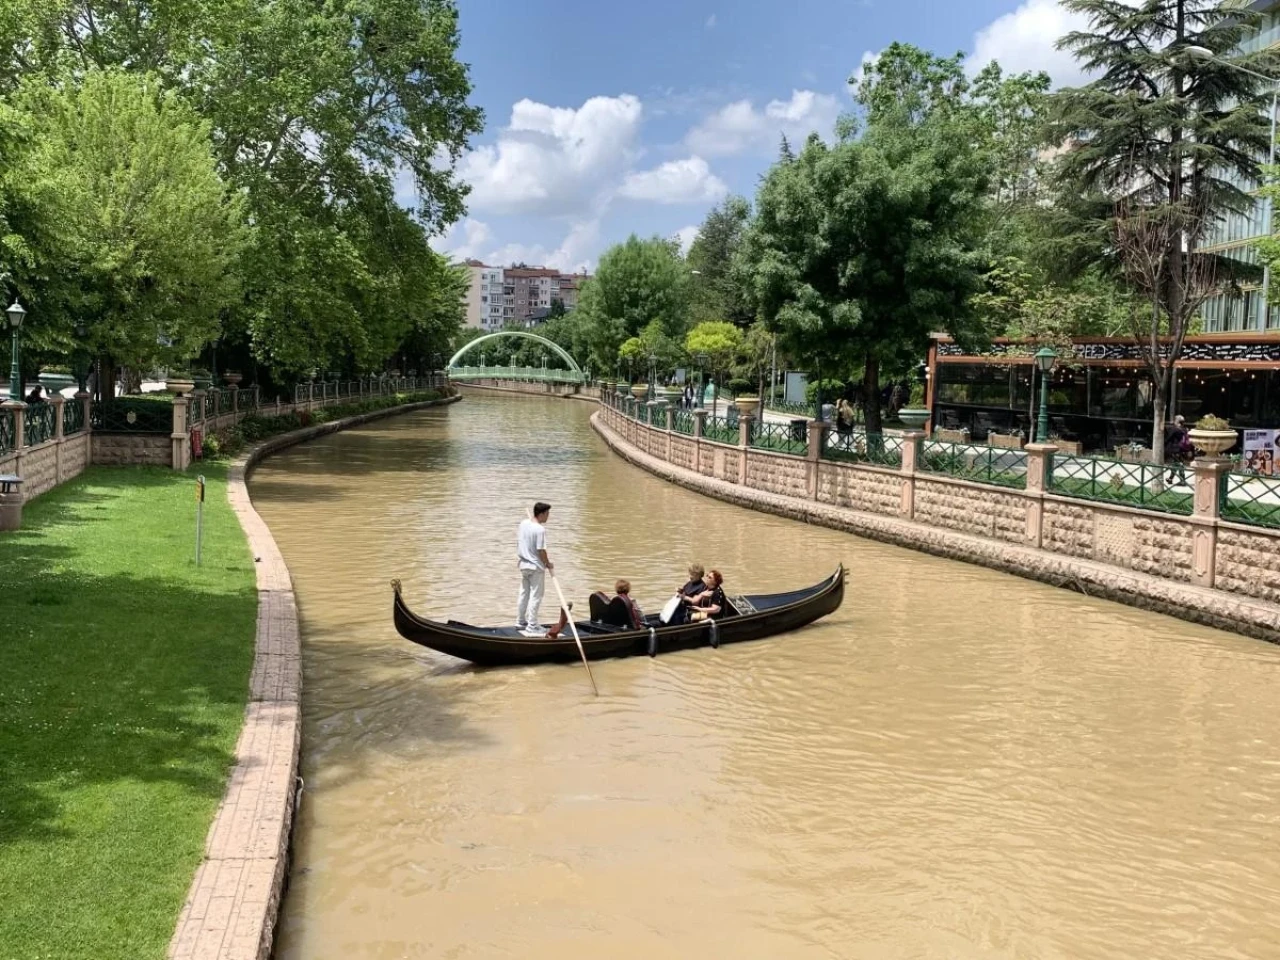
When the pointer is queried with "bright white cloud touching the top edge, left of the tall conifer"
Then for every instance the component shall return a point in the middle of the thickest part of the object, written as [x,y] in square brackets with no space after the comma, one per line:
[1025,40]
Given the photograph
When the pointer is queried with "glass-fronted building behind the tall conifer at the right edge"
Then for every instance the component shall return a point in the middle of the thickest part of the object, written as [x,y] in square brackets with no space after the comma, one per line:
[1236,235]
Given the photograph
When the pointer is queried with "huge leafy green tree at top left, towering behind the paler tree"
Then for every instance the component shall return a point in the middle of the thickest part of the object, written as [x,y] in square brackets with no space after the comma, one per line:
[324,117]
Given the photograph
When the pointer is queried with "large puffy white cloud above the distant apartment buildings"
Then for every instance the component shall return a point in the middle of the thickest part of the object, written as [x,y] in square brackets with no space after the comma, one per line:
[555,161]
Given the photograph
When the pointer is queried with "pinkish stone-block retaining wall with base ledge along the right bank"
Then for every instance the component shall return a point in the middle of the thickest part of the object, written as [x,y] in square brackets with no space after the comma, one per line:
[1144,559]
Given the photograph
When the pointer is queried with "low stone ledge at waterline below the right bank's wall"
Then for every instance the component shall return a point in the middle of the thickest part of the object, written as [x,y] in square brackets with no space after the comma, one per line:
[1215,609]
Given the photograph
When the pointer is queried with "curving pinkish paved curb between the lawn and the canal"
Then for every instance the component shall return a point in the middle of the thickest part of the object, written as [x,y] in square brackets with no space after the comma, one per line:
[235,898]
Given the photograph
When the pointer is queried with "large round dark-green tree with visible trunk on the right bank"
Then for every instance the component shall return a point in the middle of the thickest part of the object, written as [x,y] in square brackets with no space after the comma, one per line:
[861,250]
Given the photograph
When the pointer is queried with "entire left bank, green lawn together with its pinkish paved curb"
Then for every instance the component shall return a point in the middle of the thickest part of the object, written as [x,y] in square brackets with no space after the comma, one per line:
[126,680]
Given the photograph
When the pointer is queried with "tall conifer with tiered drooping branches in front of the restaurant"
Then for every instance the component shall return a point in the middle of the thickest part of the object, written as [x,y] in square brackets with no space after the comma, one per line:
[1169,145]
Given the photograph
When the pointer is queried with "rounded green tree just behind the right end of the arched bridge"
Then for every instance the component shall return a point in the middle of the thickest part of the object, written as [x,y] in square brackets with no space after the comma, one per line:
[637,284]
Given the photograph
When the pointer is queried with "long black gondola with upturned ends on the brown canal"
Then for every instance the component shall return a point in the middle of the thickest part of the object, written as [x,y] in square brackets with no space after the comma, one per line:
[753,618]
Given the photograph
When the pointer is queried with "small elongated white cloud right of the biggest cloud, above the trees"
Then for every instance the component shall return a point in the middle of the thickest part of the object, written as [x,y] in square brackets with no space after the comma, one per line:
[740,127]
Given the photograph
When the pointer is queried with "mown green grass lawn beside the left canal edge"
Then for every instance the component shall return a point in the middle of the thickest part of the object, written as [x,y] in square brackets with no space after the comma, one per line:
[124,679]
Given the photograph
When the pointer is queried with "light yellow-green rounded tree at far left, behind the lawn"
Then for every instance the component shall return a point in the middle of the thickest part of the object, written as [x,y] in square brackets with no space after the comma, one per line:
[150,241]
